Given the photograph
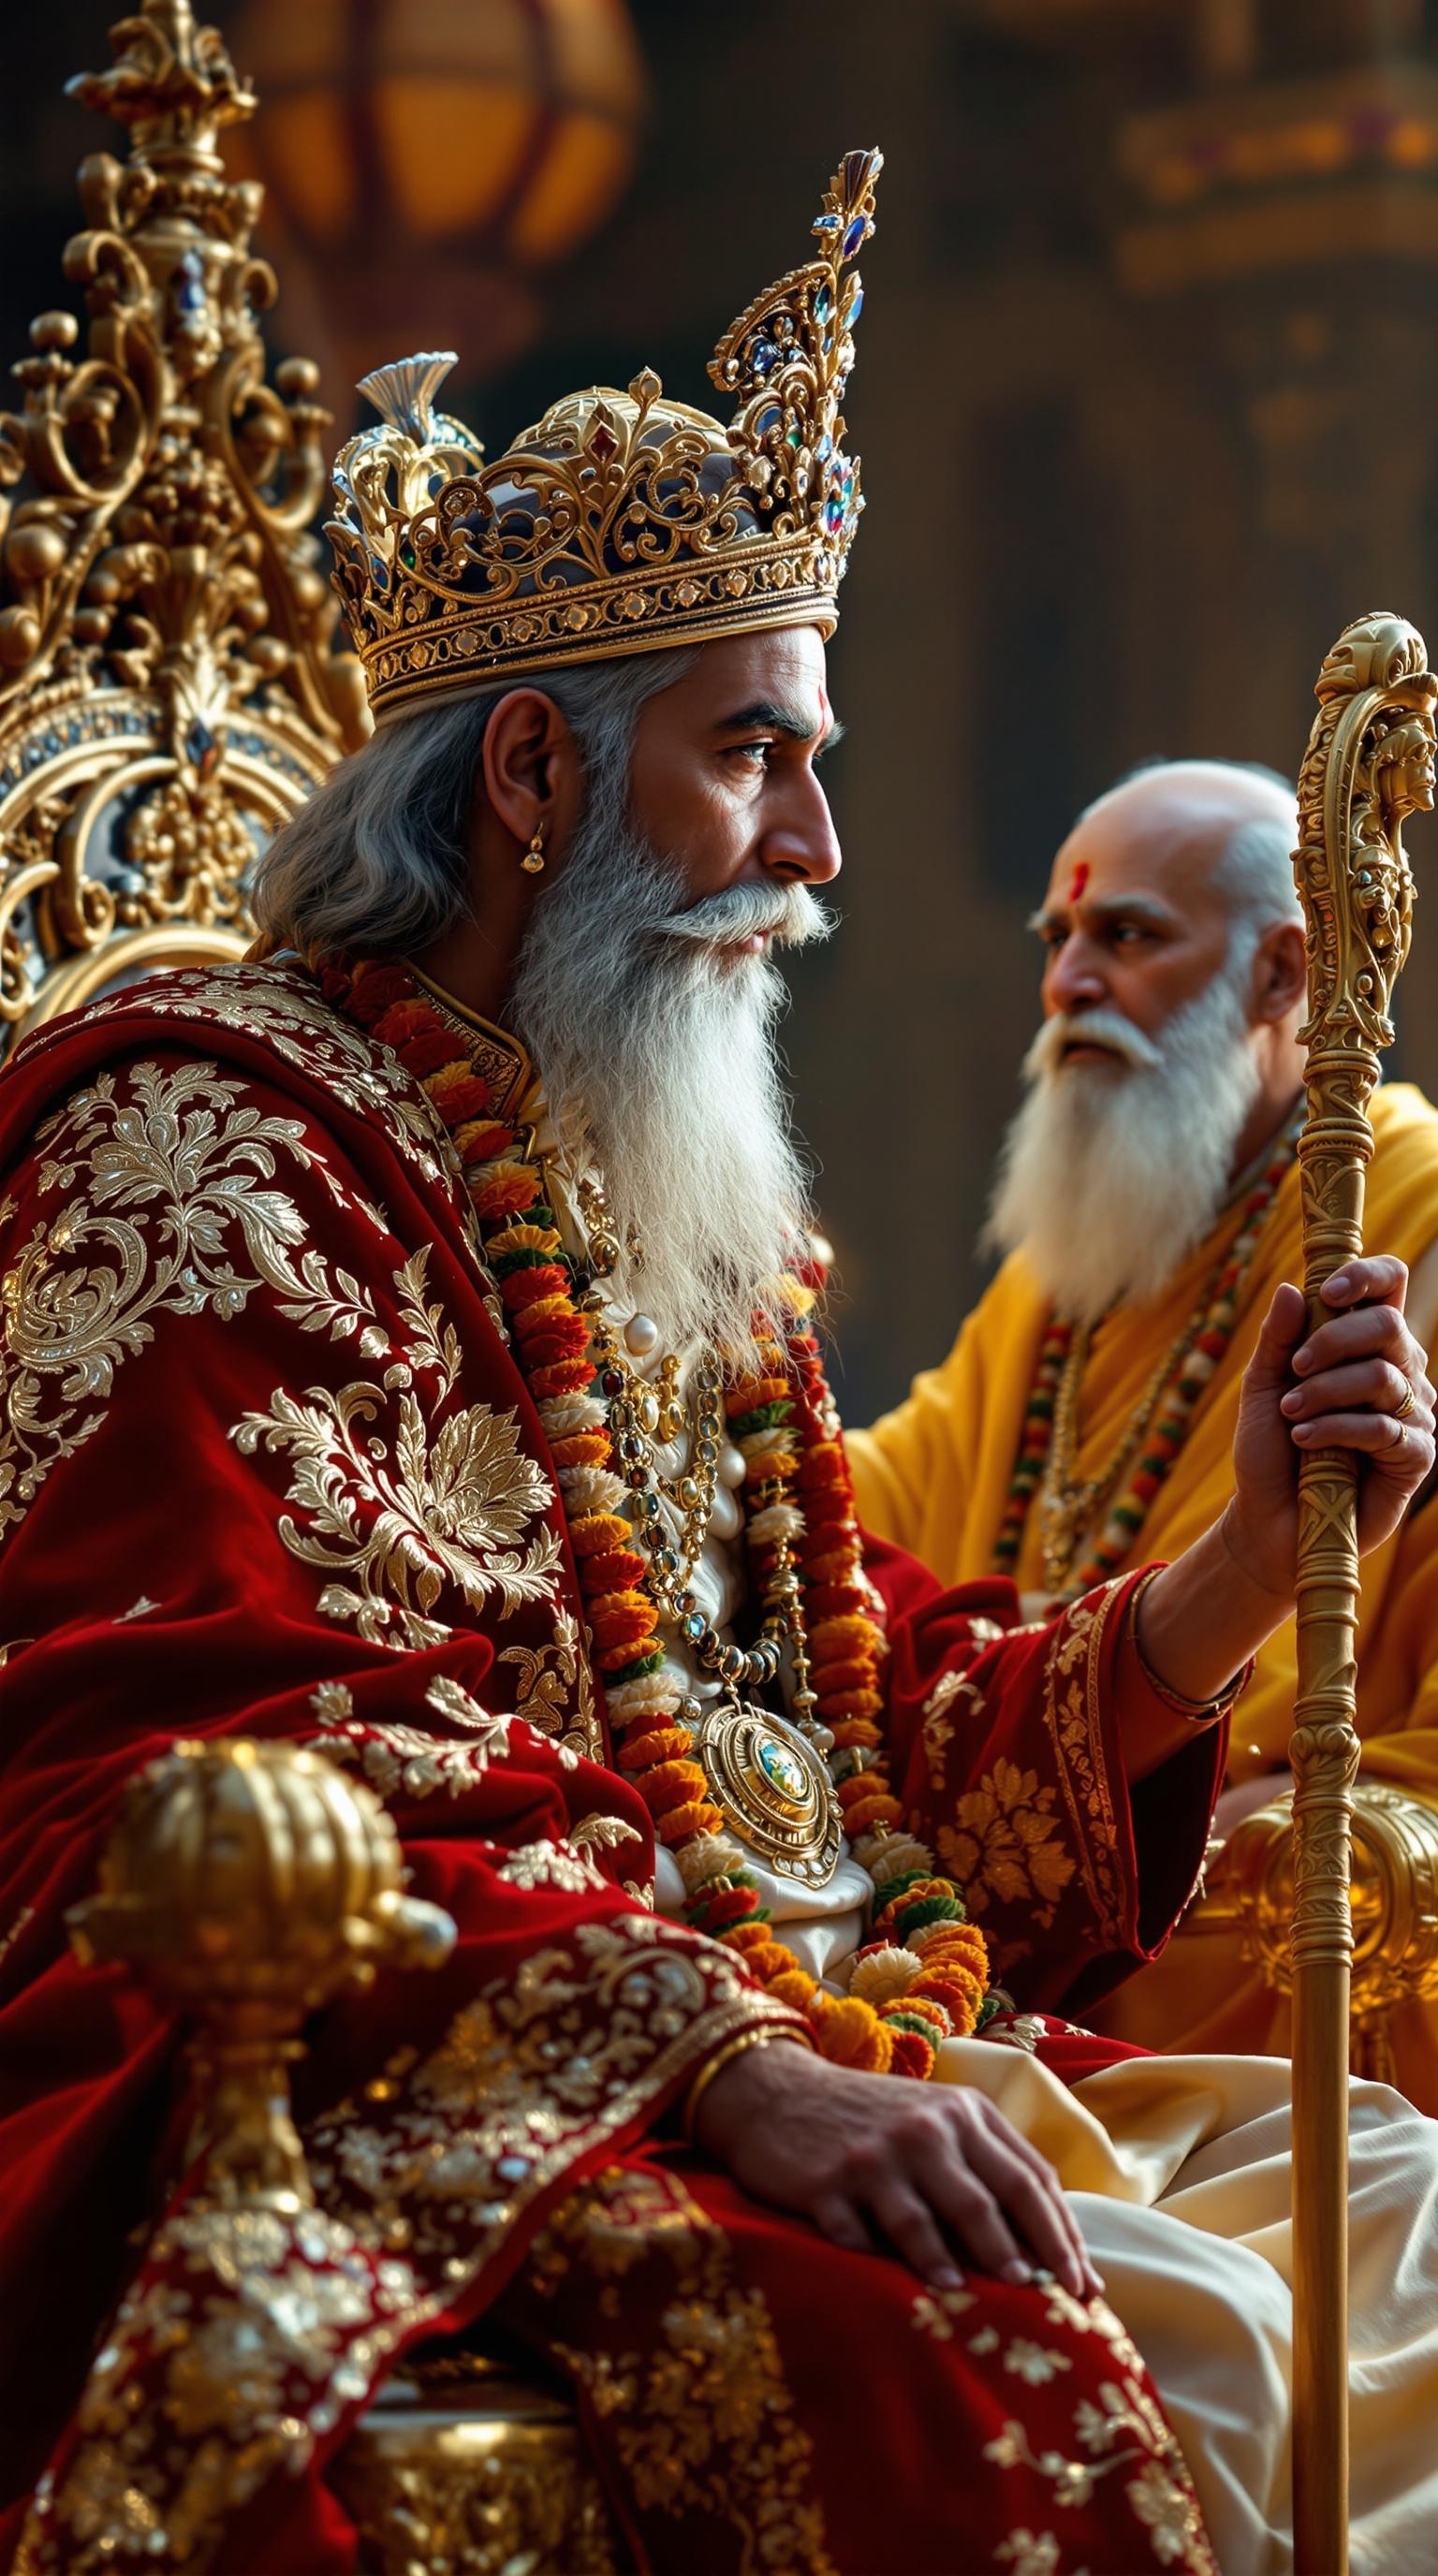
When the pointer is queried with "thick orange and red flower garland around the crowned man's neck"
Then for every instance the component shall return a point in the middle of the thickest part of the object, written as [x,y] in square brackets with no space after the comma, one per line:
[924,1972]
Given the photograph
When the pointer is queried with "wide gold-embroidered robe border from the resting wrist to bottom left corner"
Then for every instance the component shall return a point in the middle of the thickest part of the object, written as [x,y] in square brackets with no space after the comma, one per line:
[251,2335]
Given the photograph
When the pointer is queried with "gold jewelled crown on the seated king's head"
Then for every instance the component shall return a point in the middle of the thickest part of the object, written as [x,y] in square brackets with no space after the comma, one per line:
[620,522]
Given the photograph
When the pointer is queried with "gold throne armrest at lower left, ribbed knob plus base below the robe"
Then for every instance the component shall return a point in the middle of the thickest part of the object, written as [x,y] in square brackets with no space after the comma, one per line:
[246,1884]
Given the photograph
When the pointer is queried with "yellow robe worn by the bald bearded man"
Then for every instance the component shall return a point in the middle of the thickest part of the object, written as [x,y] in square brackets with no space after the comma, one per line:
[934,1477]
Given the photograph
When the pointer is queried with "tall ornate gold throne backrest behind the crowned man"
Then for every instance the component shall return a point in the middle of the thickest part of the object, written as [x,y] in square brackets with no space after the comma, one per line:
[169,679]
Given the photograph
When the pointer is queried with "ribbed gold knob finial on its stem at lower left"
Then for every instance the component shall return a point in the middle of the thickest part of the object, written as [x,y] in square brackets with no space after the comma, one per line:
[246,1884]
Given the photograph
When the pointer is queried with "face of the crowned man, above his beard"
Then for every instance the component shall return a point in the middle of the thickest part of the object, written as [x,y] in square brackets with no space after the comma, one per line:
[725,766]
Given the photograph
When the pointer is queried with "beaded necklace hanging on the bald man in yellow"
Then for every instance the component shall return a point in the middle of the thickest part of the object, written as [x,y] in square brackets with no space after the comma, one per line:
[1156,1431]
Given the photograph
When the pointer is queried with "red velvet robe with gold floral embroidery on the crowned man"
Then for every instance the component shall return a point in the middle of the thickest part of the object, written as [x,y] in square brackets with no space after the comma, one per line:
[269,1470]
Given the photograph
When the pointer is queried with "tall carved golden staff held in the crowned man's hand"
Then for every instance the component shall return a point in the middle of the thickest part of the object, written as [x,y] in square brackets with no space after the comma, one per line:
[1367,766]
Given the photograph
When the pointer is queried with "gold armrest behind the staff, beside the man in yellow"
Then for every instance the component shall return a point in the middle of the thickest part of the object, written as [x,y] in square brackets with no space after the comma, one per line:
[1395,1908]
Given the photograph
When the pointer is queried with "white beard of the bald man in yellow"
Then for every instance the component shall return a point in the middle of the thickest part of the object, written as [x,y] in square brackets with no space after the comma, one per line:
[1115,1173]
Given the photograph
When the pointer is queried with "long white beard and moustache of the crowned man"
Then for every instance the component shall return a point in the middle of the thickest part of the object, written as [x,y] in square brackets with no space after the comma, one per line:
[658,1057]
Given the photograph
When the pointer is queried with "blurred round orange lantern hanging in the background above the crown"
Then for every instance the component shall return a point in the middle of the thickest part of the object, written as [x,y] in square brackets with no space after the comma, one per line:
[429,158]
